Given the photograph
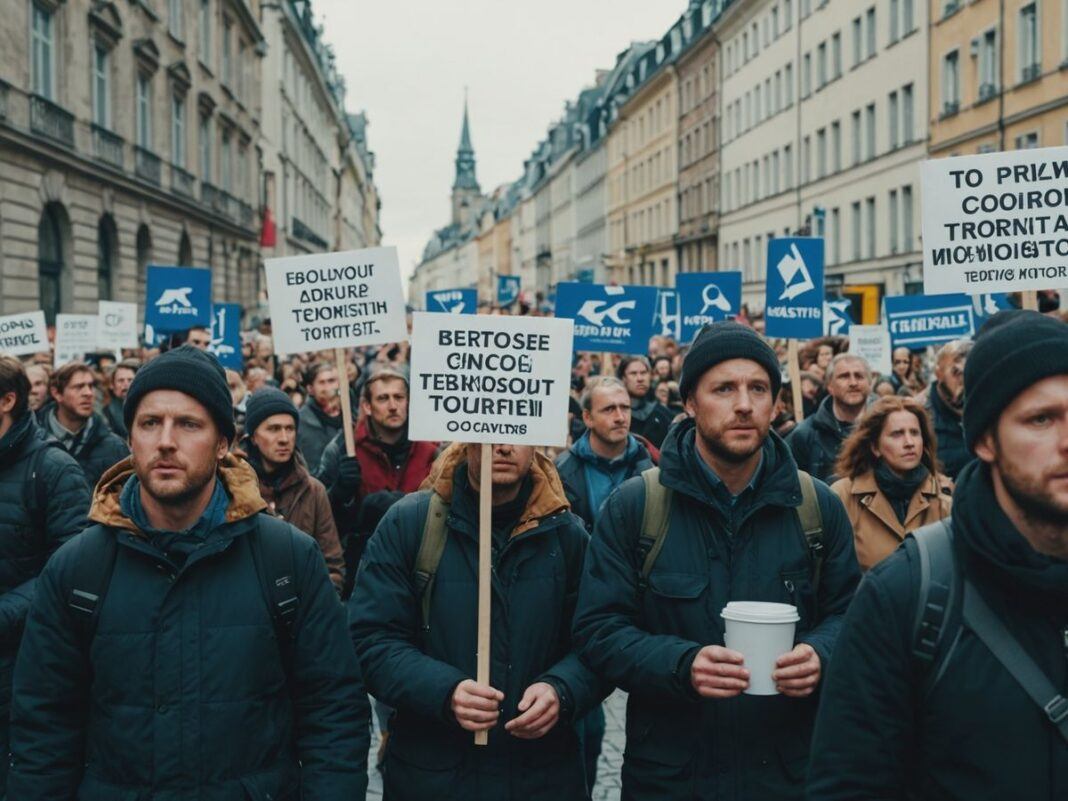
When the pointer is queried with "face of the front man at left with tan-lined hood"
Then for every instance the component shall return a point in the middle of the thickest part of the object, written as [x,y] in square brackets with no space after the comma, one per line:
[176,446]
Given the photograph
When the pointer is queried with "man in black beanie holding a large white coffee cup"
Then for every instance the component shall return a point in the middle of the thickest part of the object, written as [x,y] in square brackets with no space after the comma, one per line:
[727,519]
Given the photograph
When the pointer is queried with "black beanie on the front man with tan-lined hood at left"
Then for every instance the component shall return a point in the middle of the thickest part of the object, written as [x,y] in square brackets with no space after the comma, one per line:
[193,372]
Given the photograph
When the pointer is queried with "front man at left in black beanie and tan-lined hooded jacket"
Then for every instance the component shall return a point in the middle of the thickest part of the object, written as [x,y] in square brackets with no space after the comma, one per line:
[186,643]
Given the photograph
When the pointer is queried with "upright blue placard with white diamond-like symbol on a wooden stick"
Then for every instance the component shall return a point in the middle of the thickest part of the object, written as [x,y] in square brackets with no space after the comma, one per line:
[794,308]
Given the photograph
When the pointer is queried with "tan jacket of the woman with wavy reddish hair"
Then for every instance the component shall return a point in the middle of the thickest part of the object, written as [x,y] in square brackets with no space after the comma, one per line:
[876,530]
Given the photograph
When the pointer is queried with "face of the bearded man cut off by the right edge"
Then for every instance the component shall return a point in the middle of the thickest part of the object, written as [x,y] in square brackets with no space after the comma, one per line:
[1028,449]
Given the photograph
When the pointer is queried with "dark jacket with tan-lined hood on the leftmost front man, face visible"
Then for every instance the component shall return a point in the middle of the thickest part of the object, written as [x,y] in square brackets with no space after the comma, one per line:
[184,693]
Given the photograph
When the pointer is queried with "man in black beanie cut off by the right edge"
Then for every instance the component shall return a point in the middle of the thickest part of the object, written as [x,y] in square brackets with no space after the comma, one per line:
[950,676]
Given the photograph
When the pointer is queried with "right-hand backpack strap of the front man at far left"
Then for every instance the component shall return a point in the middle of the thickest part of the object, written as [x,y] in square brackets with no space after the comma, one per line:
[273,554]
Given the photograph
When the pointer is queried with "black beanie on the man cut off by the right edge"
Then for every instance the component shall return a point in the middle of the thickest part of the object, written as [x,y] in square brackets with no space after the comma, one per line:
[1008,359]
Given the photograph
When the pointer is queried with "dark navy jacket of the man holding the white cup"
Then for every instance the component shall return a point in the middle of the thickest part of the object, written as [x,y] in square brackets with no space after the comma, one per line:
[681,747]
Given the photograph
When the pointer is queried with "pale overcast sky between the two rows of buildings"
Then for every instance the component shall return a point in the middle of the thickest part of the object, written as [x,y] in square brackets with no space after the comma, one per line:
[406,65]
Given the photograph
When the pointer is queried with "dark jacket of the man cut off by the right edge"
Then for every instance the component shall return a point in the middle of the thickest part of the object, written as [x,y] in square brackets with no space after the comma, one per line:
[977,734]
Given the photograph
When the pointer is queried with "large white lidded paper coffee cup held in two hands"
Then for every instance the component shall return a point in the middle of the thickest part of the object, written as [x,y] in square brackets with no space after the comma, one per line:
[762,633]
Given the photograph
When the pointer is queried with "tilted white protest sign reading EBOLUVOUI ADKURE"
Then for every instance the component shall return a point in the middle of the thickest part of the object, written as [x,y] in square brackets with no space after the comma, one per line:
[332,301]
